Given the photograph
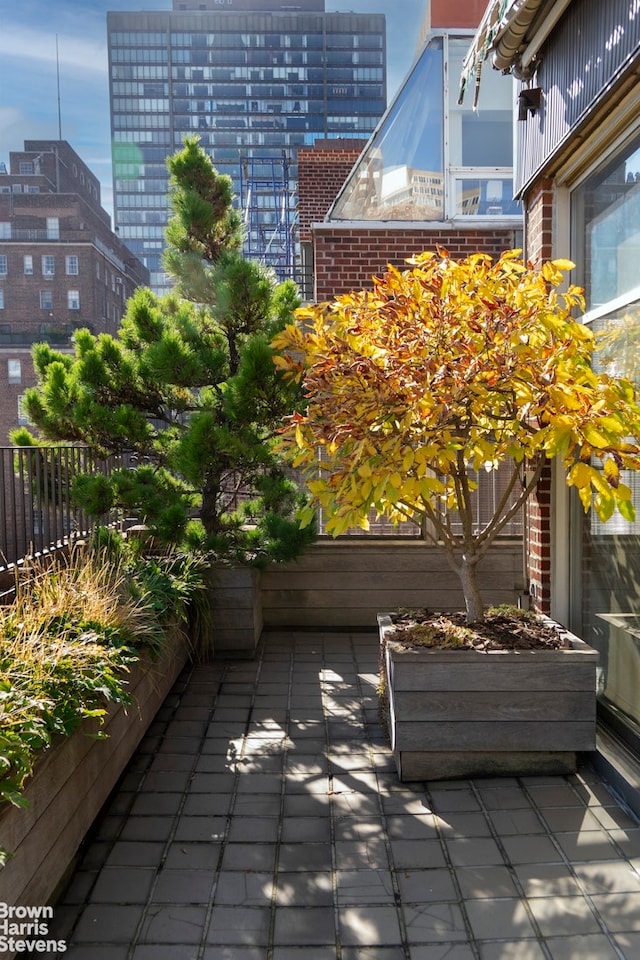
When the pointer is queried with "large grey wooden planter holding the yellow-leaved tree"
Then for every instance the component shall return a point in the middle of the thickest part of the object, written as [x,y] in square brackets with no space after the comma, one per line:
[461,713]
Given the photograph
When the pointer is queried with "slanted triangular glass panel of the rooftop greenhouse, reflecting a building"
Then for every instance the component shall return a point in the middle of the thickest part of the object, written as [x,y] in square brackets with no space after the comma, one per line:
[400,175]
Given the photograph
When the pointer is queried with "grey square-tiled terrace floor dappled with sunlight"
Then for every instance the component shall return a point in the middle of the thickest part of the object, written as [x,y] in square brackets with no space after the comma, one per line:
[262,819]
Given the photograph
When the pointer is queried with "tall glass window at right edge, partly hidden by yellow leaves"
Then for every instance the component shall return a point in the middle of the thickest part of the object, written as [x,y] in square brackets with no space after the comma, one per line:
[605,244]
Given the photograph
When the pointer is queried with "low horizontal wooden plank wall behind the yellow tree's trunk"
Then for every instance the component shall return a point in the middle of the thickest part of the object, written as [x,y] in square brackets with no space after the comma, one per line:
[346,584]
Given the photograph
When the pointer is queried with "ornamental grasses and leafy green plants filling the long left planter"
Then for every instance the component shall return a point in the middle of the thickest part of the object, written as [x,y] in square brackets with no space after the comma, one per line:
[70,636]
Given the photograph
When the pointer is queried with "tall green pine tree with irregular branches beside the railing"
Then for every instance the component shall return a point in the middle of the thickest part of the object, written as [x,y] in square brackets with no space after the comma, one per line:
[188,385]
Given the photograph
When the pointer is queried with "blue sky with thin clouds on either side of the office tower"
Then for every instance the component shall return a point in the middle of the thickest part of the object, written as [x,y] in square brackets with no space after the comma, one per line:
[28,74]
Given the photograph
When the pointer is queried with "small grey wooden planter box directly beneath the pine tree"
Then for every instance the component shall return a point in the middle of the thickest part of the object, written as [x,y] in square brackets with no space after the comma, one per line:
[237,611]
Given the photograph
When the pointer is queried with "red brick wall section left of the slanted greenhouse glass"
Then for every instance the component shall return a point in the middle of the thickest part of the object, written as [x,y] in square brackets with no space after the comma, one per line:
[322,170]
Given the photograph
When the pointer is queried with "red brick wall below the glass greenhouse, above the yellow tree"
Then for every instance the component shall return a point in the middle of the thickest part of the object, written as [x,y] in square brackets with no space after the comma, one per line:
[346,259]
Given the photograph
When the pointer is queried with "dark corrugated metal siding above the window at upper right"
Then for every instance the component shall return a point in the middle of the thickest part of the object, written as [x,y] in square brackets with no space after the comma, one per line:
[591,47]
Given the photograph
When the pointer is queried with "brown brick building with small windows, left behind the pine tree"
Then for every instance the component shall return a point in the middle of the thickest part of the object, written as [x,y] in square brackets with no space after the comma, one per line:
[61,265]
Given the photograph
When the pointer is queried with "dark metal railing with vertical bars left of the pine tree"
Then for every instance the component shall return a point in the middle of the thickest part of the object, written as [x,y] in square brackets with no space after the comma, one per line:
[37,514]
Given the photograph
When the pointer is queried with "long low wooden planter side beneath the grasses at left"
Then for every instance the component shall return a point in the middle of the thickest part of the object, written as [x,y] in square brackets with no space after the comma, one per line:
[72,781]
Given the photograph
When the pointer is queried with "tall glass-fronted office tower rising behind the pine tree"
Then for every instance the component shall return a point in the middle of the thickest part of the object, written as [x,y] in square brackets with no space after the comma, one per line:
[255,80]
